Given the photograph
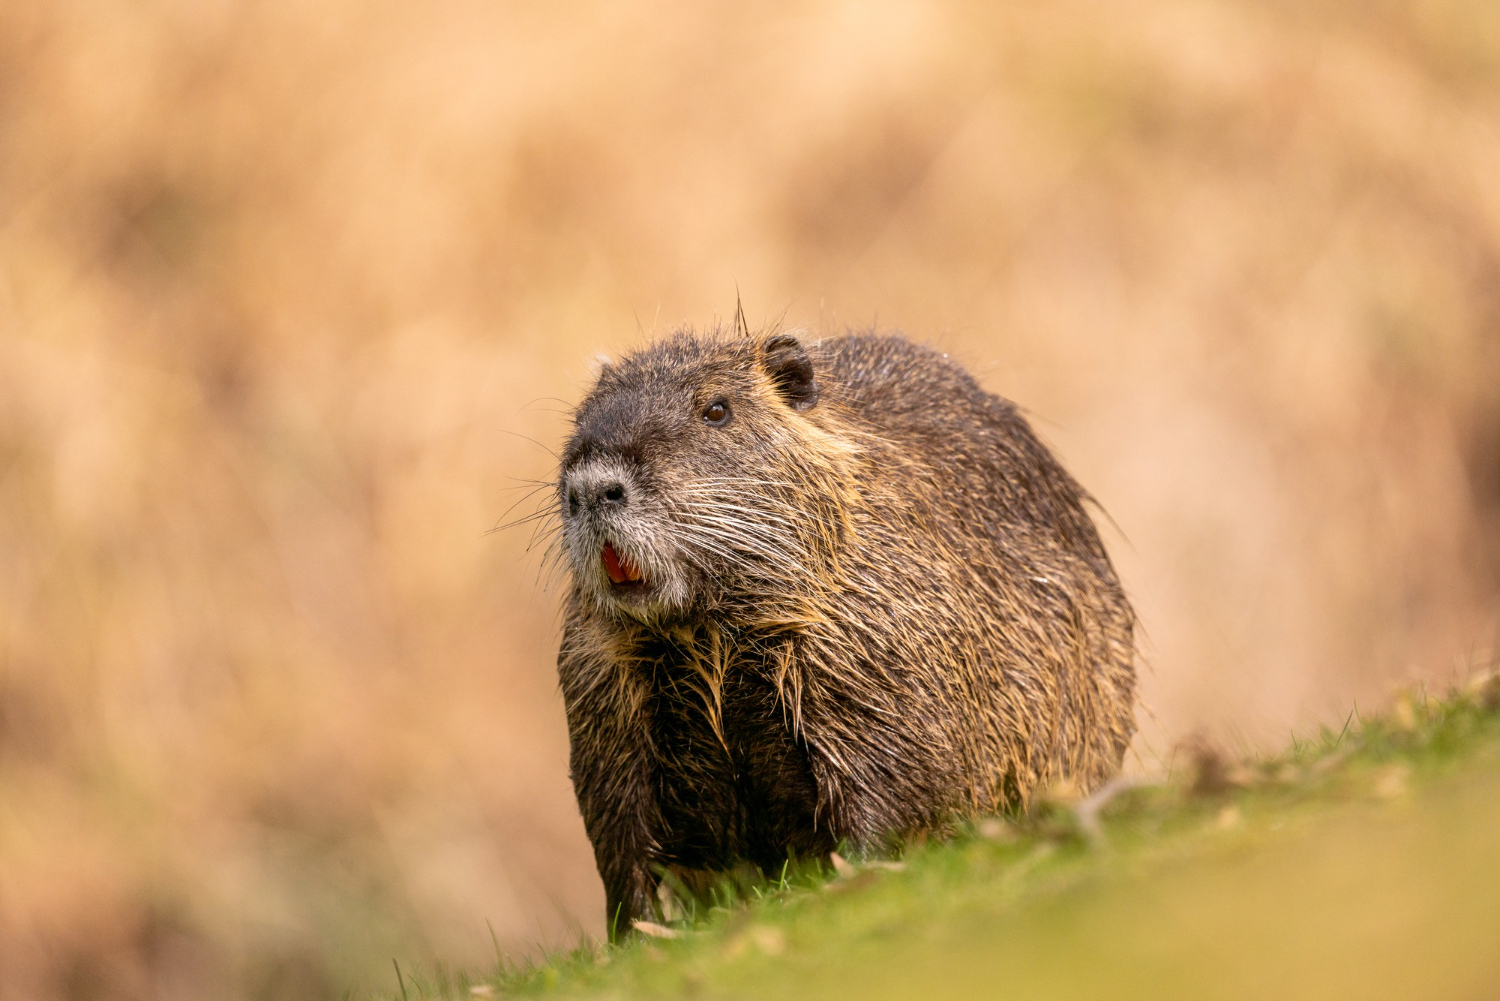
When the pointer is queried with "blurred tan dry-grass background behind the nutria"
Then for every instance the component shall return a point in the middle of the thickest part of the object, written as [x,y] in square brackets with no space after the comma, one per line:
[289,287]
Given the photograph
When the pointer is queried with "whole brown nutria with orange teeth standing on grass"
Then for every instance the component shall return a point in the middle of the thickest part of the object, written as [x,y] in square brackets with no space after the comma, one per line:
[820,595]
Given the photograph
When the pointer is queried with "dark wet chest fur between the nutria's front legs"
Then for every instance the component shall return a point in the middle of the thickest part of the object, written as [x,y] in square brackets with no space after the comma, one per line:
[733,783]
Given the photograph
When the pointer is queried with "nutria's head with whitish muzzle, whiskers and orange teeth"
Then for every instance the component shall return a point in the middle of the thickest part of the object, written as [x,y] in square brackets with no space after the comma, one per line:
[685,484]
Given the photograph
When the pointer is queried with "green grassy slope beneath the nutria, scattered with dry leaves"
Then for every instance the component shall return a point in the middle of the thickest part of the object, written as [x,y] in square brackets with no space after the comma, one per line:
[1364,864]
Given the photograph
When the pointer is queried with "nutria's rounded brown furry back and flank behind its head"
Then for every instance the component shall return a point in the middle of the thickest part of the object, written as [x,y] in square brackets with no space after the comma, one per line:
[979,583]
